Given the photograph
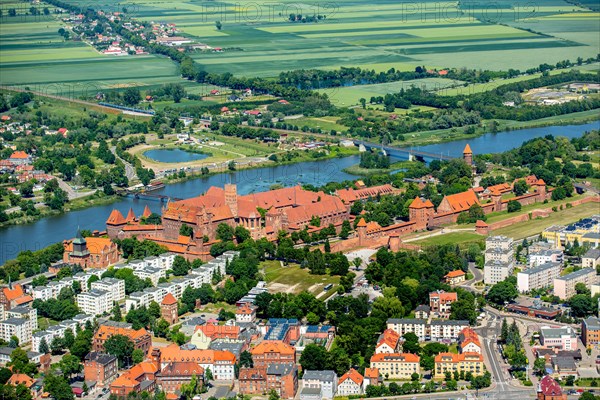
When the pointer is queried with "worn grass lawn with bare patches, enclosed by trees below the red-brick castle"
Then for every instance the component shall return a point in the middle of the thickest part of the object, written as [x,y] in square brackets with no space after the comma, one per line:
[293,279]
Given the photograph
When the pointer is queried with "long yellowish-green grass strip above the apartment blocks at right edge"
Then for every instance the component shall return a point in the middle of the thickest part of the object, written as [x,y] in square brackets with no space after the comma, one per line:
[533,227]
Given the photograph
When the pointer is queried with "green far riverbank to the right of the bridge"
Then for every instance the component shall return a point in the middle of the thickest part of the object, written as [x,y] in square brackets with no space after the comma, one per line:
[441,136]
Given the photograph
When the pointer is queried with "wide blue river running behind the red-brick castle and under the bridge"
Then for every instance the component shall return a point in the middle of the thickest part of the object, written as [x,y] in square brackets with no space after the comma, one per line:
[50,230]
